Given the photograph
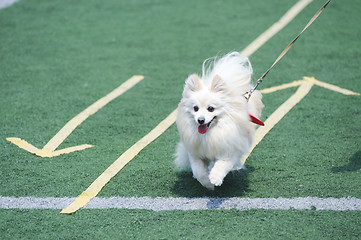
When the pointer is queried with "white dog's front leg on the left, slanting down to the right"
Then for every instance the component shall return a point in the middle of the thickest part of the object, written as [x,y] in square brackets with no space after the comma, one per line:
[200,172]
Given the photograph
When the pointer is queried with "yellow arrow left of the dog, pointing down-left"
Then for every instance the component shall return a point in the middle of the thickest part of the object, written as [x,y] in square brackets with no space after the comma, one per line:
[49,149]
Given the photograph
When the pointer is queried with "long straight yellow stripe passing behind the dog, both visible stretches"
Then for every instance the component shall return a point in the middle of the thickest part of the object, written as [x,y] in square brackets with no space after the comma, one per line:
[92,190]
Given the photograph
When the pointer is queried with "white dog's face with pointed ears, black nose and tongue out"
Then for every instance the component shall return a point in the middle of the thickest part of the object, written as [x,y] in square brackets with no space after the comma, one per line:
[204,104]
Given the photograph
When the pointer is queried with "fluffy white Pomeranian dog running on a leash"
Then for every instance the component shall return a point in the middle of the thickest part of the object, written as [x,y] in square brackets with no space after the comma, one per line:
[214,119]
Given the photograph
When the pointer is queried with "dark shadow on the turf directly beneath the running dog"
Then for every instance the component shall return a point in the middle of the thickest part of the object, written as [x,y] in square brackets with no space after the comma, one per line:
[235,184]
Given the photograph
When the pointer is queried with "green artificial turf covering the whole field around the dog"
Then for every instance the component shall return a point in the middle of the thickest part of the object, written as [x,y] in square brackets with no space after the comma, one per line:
[59,58]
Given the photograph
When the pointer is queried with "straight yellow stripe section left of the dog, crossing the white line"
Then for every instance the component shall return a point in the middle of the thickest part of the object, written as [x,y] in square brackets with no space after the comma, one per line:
[113,169]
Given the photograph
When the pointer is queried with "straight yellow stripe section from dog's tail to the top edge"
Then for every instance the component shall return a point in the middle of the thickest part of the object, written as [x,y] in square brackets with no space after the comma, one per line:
[276,27]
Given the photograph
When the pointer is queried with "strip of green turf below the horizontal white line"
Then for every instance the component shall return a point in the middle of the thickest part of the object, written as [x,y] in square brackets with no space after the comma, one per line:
[218,224]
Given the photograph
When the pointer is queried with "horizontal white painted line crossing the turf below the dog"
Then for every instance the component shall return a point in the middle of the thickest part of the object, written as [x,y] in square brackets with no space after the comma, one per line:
[185,204]
